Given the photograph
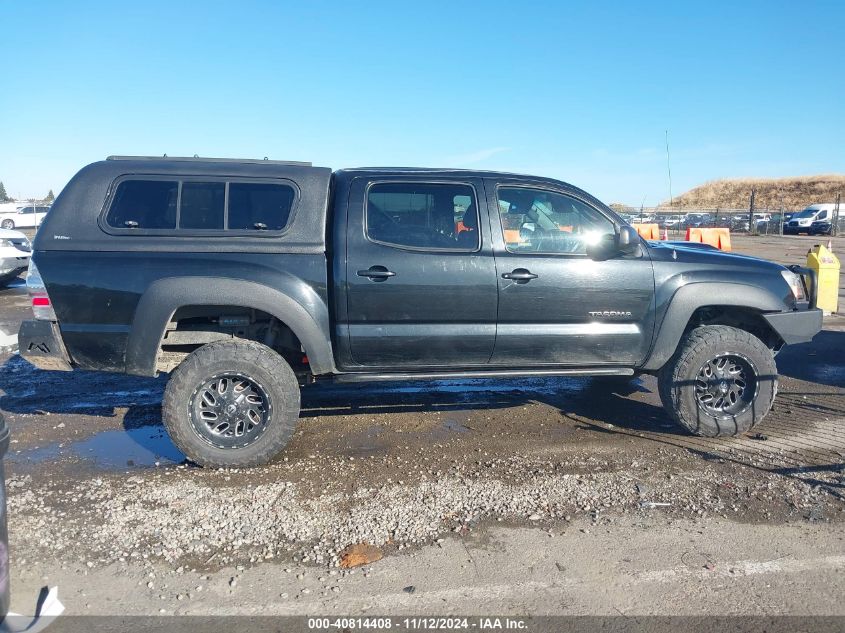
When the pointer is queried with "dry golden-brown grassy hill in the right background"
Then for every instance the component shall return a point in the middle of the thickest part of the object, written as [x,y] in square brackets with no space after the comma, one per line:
[792,193]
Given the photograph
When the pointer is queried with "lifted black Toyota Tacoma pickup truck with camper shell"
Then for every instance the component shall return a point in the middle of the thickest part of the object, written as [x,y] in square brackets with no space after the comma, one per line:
[247,279]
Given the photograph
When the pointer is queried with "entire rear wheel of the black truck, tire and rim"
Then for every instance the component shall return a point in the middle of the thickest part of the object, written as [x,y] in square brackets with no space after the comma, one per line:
[231,404]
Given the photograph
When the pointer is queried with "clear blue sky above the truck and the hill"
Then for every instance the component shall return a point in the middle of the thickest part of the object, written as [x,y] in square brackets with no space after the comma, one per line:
[580,92]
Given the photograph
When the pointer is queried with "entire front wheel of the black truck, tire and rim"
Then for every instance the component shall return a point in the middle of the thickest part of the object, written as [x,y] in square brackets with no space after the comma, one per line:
[721,381]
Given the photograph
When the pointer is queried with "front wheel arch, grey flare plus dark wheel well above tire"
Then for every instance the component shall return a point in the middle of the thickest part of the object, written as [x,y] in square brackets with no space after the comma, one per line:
[736,304]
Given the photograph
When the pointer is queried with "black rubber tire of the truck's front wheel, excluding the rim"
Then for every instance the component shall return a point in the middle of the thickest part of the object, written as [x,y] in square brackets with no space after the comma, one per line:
[677,379]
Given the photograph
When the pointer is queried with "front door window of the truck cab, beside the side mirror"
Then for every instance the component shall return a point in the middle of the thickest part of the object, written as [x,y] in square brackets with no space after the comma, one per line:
[540,221]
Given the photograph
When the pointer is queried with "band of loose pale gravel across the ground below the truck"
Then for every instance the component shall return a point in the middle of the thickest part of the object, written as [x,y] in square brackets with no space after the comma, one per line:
[191,518]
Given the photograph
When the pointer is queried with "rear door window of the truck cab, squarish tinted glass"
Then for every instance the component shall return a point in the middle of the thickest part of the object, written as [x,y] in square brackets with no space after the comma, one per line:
[423,215]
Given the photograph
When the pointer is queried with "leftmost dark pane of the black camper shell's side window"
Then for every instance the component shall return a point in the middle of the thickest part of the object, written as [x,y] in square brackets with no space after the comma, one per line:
[144,204]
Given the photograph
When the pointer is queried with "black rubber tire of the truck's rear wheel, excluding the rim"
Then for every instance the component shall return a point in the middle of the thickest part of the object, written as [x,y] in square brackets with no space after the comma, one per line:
[252,360]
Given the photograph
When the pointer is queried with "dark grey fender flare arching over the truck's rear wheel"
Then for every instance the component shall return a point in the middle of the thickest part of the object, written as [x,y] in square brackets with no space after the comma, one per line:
[164,296]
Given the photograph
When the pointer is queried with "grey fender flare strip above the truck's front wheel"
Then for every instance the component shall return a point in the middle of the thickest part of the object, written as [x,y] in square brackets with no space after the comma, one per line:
[689,298]
